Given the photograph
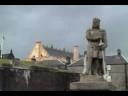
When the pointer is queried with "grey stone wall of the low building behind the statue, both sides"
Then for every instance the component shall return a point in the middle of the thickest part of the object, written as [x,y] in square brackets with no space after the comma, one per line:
[117,73]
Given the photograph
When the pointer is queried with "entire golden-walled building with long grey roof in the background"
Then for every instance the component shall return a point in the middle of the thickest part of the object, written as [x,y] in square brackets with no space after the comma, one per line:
[41,52]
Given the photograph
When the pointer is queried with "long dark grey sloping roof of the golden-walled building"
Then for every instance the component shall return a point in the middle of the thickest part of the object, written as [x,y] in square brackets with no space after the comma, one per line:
[56,52]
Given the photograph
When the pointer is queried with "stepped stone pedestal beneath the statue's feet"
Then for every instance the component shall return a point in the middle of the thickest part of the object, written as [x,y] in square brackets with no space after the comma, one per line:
[91,82]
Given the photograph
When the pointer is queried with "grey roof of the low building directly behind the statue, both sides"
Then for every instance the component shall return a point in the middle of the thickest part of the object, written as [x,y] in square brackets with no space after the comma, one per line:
[115,59]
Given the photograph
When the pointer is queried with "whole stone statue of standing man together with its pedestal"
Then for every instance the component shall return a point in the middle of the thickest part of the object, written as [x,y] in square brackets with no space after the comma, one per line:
[94,75]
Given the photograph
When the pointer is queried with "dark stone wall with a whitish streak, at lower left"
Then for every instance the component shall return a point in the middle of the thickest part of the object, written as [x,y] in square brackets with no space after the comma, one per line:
[35,79]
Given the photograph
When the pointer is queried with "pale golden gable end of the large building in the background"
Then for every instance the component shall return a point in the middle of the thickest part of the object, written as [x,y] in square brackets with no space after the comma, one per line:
[38,52]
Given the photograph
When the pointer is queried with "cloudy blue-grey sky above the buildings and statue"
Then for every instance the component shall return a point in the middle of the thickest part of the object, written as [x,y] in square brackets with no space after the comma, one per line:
[61,25]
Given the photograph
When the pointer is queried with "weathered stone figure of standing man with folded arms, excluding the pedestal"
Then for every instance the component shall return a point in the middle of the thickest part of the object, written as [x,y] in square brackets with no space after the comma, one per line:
[97,43]
